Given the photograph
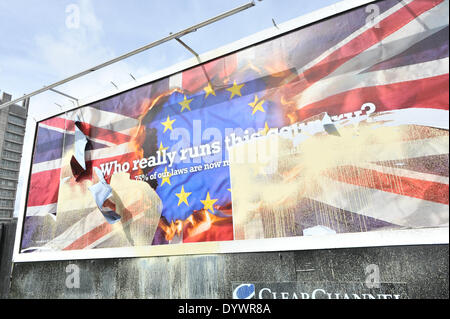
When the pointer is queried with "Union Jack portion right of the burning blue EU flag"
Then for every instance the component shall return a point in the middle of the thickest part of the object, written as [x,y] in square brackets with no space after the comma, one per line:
[398,62]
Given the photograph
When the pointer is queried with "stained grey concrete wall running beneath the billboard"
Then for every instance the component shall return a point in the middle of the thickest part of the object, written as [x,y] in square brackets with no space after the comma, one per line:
[422,270]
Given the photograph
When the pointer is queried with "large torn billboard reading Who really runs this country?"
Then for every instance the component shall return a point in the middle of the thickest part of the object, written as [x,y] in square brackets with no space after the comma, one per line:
[332,131]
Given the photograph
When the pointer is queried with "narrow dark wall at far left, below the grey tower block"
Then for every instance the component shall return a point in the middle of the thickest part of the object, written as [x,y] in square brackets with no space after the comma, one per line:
[7,233]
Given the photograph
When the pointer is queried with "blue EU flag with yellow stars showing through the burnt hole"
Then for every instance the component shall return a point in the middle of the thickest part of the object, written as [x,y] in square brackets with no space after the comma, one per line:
[204,117]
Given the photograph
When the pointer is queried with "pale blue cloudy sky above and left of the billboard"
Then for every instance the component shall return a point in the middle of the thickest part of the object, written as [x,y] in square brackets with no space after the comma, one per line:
[45,41]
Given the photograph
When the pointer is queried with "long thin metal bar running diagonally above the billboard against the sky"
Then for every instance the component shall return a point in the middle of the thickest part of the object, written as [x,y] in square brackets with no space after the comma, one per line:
[134,52]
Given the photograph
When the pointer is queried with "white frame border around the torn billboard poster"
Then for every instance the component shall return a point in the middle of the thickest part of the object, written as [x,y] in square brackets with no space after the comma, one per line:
[398,237]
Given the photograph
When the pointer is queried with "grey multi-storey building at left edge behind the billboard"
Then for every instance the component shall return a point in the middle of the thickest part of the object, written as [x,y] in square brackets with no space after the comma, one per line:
[12,131]
